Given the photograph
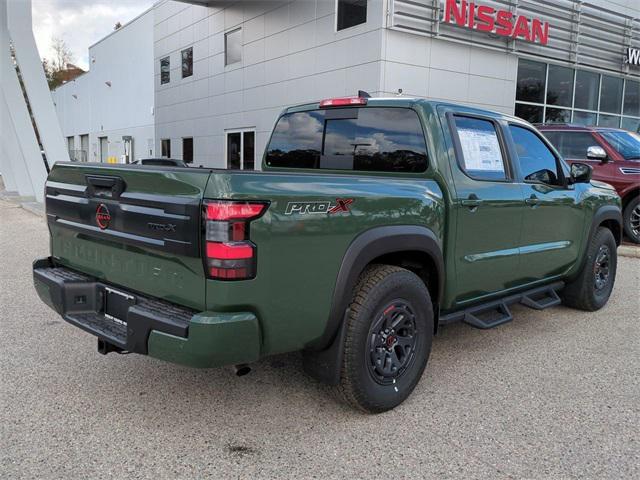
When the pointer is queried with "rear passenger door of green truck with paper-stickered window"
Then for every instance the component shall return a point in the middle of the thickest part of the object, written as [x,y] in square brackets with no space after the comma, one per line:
[488,205]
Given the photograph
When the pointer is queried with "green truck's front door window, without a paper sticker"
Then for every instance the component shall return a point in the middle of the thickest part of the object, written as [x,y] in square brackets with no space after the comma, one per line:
[537,162]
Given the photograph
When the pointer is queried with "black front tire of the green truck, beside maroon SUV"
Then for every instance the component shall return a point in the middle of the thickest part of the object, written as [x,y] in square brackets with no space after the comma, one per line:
[582,292]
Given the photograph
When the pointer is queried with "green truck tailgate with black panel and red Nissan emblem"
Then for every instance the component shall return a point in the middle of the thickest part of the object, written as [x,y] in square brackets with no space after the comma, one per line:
[133,226]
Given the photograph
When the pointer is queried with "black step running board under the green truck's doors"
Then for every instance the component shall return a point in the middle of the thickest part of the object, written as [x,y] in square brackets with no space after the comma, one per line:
[496,312]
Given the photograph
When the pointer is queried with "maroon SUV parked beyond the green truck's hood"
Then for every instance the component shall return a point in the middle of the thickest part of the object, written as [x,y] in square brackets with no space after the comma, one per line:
[615,157]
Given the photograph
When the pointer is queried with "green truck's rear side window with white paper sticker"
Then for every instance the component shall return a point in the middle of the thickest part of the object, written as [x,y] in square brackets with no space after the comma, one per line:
[482,157]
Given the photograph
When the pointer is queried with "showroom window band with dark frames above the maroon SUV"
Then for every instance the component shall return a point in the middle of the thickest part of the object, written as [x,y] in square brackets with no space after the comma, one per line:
[548,93]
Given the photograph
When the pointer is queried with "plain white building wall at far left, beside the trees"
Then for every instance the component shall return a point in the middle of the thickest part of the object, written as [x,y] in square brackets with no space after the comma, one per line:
[88,105]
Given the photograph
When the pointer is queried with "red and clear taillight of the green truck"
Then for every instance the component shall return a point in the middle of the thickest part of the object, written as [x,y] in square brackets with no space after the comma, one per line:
[228,251]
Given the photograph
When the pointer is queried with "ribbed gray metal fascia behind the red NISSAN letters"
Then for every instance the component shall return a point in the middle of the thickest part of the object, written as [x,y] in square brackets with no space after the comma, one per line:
[580,33]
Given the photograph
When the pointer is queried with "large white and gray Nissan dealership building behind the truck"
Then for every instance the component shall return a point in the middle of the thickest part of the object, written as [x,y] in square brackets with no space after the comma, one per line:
[204,81]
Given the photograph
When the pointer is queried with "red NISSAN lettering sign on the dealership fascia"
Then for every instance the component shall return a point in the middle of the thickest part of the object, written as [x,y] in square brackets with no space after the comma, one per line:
[499,22]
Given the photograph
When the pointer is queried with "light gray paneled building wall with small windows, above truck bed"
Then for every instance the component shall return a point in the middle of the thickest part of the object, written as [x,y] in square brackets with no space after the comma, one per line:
[292,53]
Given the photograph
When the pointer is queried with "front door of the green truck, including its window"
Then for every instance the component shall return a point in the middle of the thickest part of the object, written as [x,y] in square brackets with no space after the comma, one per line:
[552,220]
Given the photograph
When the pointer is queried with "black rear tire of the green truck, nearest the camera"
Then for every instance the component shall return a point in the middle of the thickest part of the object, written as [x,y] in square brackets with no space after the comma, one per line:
[378,287]
